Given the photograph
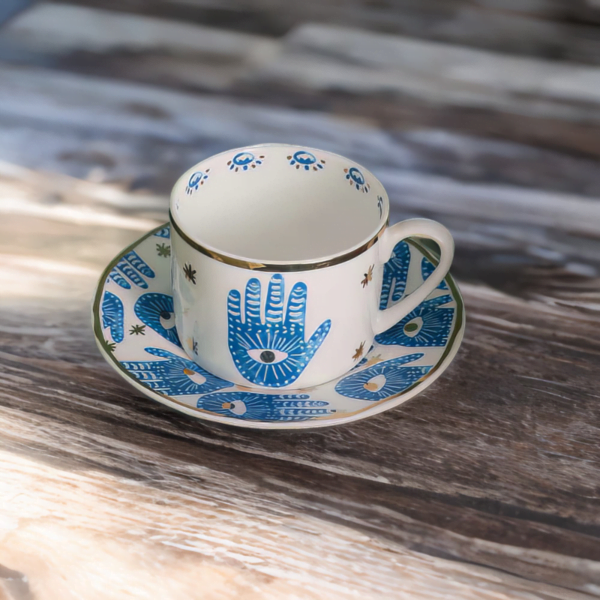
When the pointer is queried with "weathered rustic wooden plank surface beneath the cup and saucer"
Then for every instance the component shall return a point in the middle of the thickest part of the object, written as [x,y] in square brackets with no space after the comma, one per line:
[484,115]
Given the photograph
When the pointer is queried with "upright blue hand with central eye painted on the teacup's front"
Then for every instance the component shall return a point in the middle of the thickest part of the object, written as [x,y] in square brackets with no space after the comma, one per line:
[273,353]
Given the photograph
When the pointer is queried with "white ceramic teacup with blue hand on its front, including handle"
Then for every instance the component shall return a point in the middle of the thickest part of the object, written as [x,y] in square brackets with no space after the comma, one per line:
[278,260]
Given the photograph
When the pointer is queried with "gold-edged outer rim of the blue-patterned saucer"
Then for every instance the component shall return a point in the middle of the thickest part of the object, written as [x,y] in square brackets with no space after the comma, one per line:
[418,387]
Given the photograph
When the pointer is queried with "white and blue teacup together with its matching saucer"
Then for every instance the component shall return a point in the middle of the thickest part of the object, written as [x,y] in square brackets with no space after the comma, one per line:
[279,297]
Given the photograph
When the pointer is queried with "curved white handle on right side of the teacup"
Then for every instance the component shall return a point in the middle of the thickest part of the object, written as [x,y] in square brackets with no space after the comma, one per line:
[423,228]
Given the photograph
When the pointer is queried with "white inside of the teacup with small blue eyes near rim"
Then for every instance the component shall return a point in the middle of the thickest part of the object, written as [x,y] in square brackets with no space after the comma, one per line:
[278,203]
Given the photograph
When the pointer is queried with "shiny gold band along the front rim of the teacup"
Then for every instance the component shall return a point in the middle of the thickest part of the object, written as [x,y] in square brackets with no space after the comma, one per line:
[276,267]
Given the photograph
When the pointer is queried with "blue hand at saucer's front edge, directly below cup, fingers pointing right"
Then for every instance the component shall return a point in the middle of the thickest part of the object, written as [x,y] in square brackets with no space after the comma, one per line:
[264,407]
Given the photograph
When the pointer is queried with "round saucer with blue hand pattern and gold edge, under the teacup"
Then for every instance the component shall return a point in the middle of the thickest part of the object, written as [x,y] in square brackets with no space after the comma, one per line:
[135,330]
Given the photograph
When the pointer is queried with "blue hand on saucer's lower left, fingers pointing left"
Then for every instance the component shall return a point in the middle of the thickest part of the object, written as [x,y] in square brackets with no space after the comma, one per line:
[175,376]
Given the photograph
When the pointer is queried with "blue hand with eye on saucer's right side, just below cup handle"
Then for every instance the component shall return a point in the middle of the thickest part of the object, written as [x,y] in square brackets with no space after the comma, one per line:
[428,325]
